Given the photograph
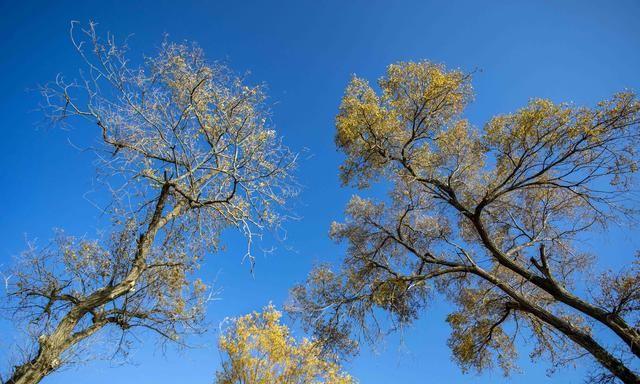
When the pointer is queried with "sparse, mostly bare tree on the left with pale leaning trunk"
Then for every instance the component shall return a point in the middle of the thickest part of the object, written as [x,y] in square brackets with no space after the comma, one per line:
[188,151]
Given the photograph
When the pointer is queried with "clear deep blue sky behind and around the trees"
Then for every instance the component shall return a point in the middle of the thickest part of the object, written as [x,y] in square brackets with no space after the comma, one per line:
[580,51]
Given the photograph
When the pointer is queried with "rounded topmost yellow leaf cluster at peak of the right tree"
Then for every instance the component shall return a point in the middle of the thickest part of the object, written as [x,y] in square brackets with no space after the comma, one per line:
[417,101]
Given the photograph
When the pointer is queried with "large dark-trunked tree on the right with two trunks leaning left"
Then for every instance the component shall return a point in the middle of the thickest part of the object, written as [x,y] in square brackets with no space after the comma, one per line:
[490,218]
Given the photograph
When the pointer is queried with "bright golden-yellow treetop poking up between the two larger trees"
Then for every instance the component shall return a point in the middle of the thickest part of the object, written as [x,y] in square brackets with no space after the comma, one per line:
[258,349]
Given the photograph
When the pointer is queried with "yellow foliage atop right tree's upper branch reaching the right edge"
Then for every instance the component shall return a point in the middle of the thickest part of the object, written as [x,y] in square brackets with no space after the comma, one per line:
[542,129]
